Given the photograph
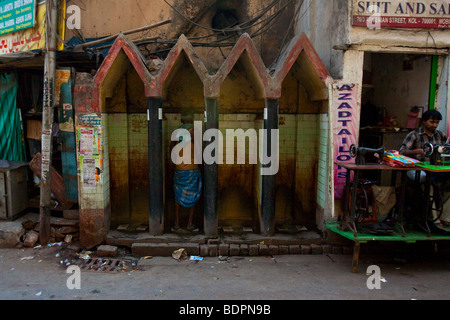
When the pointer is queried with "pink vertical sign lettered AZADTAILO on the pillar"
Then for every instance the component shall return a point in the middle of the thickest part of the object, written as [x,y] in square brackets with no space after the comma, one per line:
[346,115]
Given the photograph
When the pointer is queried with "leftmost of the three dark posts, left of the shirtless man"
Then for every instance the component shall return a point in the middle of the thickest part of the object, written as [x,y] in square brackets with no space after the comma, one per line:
[156,174]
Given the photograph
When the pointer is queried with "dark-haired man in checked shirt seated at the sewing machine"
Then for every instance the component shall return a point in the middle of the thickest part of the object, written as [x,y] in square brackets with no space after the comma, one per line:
[413,147]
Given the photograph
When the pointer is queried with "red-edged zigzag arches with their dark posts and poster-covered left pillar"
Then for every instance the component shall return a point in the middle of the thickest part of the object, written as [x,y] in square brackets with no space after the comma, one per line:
[298,59]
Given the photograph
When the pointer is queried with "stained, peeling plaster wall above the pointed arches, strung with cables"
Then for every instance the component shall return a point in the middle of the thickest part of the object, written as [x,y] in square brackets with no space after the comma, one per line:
[100,18]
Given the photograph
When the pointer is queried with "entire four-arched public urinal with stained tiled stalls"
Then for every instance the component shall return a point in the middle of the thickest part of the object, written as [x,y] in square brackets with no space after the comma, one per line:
[129,111]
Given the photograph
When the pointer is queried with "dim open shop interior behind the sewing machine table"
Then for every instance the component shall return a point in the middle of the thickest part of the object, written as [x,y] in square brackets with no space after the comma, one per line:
[395,93]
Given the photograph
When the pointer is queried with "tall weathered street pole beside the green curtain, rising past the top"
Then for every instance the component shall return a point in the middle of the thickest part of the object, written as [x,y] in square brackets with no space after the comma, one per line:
[47,120]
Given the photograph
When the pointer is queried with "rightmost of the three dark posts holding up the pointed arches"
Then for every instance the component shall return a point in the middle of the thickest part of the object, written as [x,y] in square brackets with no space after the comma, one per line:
[267,222]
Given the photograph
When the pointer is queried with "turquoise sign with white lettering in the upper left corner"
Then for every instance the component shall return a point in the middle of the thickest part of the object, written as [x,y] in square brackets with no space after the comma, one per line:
[16,15]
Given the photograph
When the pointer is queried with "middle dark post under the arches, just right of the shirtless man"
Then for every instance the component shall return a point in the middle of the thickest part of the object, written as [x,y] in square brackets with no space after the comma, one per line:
[211,173]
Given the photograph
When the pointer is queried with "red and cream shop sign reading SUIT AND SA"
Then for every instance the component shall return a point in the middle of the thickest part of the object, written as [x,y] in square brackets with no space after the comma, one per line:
[433,14]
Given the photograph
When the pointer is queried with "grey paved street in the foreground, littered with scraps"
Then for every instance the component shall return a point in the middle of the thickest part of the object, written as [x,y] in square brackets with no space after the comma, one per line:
[37,274]
